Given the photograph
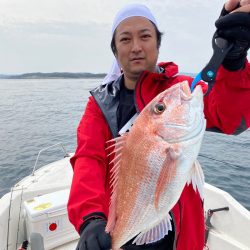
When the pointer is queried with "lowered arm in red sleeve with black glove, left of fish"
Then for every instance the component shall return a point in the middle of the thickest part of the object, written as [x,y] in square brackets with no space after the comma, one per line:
[89,199]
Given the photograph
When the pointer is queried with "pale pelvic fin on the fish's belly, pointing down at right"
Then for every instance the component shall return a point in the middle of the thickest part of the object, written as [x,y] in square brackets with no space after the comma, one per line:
[197,179]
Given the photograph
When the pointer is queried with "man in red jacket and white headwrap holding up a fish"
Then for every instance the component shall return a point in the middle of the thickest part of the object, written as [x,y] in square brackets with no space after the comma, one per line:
[135,44]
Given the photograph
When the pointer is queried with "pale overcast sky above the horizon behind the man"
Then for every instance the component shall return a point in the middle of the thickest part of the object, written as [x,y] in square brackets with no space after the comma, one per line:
[75,35]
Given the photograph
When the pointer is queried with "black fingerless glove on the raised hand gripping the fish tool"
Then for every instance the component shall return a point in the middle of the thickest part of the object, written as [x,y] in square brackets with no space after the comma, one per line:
[235,28]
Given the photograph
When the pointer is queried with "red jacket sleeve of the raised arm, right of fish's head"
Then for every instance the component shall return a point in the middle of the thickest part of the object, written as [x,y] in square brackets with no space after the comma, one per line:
[227,107]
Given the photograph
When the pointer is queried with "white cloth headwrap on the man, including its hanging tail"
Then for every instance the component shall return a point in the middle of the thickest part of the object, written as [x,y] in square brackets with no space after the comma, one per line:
[129,10]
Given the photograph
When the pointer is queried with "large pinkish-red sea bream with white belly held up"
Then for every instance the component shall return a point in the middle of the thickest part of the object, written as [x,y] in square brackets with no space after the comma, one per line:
[152,164]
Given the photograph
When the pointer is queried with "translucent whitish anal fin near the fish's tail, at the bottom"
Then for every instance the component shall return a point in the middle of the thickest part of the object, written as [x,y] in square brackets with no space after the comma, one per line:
[156,233]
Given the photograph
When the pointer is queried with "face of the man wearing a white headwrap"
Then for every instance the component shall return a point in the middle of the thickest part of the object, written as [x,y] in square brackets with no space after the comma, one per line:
[136,46]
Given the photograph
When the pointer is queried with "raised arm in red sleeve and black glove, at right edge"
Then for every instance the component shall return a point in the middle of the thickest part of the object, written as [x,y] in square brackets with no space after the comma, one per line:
[227,106]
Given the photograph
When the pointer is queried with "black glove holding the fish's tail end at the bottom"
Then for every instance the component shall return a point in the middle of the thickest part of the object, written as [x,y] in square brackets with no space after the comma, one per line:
[93,236]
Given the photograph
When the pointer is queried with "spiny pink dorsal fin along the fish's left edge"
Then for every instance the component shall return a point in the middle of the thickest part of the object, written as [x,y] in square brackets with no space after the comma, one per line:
[117,143]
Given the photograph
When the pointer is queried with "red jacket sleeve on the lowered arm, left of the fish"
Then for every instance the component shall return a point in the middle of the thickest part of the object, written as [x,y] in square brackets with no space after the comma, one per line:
[88,189]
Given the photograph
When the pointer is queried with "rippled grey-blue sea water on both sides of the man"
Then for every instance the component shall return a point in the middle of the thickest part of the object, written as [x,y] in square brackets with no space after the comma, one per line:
[35,114]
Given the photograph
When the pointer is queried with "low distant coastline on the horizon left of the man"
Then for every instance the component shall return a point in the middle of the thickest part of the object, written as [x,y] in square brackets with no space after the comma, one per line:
[54,75]
